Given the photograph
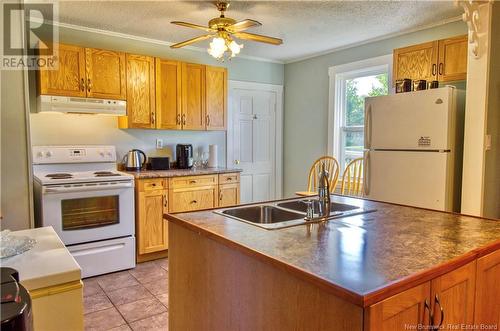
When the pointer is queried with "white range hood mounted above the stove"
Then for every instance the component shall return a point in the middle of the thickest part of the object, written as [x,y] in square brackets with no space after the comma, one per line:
[54,103]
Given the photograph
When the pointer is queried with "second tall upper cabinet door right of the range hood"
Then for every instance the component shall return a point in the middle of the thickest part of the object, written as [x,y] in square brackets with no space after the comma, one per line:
[168,94]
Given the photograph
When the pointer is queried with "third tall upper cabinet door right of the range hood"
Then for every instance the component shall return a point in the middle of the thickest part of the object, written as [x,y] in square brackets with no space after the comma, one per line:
[193,96]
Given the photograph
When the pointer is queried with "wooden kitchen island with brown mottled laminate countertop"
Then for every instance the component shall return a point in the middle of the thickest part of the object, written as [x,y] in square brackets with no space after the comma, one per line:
[391,269]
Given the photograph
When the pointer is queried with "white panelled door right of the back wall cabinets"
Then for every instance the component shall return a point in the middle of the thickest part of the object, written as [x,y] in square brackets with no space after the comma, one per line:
[252,142]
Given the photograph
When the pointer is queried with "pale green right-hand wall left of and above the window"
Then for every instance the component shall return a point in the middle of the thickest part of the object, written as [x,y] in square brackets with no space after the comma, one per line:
[306,99]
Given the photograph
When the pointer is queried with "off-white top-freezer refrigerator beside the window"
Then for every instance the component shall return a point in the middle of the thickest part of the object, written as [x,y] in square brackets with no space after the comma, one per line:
[413,148]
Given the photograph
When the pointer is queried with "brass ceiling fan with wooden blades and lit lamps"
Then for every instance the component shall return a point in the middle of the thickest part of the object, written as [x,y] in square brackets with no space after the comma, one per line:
[223,29]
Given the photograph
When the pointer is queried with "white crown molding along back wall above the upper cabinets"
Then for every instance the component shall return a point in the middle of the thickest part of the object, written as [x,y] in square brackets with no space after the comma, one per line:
[142,39]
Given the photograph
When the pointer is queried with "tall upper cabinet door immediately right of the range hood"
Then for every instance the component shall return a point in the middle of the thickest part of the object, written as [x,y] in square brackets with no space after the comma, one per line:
[140,91]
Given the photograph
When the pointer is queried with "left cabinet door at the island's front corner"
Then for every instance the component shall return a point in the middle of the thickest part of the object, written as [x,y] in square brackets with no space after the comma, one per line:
[404,311]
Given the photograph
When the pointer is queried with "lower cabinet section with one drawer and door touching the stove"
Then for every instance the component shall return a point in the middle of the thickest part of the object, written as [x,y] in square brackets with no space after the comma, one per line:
[151,205]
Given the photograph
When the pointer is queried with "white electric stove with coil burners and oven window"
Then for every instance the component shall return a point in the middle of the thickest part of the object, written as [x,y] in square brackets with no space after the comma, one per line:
[88,203]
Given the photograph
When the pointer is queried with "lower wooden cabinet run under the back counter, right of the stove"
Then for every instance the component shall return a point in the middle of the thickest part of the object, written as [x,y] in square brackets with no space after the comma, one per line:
[158,196]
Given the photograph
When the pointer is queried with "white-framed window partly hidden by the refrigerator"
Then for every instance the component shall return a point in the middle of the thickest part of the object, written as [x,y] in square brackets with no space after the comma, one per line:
[350,84]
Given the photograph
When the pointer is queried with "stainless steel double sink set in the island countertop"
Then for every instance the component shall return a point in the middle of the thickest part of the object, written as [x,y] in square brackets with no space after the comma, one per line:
[285,214]
